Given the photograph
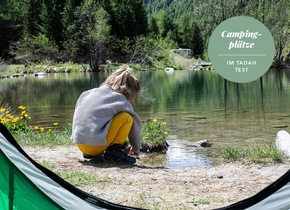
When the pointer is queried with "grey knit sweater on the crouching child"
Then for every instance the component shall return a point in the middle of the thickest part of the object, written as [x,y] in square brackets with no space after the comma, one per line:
[93,116]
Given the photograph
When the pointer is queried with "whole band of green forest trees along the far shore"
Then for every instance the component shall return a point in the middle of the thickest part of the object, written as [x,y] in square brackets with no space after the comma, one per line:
[95,31]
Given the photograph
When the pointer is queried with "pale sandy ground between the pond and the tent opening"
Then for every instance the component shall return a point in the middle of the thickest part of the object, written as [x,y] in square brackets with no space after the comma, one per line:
[163,188]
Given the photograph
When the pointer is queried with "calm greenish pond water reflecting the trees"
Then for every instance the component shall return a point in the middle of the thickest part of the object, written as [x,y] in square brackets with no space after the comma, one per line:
[195,104]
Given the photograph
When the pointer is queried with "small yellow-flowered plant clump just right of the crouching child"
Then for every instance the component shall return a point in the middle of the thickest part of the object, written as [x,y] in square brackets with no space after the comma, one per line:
[154,131]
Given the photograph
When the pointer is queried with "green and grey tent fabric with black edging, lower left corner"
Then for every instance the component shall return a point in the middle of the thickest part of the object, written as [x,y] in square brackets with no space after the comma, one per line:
[25,184]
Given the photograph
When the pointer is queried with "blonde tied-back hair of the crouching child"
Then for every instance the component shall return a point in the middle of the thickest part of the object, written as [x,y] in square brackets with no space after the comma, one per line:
[124,81]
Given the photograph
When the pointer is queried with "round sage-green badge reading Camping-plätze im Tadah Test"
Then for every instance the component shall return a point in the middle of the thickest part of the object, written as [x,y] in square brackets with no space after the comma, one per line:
[241,49]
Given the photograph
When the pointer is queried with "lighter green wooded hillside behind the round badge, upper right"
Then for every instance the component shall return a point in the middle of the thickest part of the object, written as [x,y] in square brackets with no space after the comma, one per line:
[207,14]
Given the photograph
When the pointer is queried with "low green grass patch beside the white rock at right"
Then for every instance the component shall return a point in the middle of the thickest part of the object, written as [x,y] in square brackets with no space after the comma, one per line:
[256,154]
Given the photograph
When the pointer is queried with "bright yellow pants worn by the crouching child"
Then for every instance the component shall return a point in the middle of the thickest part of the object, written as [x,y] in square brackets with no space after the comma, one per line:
[118,132]
